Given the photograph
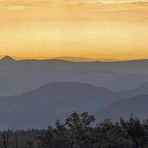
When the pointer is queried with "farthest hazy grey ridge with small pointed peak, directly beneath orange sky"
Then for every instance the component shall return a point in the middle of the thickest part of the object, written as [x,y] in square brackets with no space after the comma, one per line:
[18,76]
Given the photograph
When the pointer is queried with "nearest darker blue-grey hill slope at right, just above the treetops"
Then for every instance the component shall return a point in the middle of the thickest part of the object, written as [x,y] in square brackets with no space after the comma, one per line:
[138,106]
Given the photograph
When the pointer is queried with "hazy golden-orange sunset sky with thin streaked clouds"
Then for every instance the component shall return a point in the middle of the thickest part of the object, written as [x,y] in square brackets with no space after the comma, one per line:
[98,29]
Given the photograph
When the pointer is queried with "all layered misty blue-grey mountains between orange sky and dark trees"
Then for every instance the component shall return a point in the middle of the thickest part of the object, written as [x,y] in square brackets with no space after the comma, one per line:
[36,93]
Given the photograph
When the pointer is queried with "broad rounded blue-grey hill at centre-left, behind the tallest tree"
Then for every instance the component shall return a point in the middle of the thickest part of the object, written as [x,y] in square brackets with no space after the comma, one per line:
[45,105]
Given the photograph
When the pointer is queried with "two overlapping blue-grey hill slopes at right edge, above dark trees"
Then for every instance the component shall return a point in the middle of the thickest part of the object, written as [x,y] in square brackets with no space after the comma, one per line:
[134,101]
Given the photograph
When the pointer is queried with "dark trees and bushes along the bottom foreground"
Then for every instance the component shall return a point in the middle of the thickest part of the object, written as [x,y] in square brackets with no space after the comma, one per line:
[80,131]
